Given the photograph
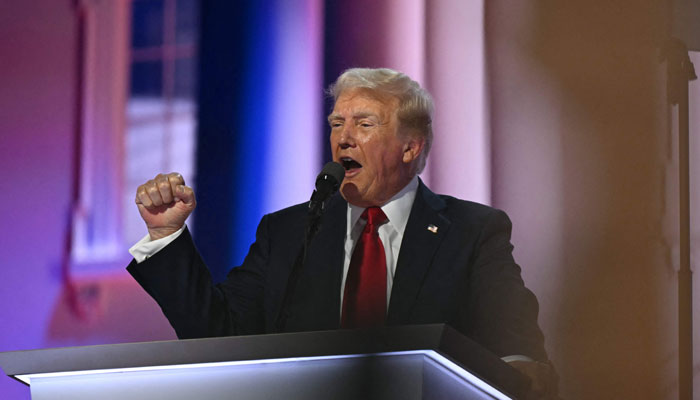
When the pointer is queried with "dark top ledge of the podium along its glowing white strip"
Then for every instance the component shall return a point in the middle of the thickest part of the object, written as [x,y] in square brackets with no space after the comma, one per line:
[439,342]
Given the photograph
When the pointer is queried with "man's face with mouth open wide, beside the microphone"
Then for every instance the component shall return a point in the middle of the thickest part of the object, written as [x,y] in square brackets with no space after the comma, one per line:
[366,141]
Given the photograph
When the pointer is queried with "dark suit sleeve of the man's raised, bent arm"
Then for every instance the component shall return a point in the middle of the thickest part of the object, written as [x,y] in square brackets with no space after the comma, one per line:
[180,282]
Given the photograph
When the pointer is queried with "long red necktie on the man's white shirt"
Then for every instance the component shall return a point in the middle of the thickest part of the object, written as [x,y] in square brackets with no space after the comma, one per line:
[364,298]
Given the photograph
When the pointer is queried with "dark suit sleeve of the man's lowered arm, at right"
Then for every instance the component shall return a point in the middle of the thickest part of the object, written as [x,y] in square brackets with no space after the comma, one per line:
[504,311]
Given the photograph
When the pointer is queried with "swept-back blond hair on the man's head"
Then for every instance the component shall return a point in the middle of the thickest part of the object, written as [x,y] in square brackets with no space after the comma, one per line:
[415,103]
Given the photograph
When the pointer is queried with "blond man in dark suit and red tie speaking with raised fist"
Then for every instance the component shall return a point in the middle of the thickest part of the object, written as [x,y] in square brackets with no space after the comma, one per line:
[389,250]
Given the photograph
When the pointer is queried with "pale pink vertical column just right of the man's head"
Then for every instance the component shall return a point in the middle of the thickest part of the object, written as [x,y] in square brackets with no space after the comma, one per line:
[455,75]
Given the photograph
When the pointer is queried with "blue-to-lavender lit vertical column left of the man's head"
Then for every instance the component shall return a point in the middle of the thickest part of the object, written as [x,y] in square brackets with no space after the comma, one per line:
[294,152]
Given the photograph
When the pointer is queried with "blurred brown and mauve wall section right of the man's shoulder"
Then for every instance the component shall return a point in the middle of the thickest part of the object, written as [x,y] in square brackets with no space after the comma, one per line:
[584,162]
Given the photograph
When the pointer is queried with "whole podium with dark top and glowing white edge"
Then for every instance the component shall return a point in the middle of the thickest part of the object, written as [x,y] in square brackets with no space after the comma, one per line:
[409,362]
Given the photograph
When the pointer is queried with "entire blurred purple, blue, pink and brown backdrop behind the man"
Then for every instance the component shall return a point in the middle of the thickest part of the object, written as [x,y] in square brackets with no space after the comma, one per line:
[555,112]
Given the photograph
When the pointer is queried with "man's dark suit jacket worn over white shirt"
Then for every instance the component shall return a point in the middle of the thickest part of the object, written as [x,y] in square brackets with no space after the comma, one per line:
[463,275]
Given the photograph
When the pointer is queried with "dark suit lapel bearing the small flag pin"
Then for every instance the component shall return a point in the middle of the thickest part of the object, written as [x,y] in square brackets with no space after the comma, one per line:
[425,230]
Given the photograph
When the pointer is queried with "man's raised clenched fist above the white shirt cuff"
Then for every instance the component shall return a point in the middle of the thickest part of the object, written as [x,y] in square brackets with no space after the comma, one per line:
[164,203]
